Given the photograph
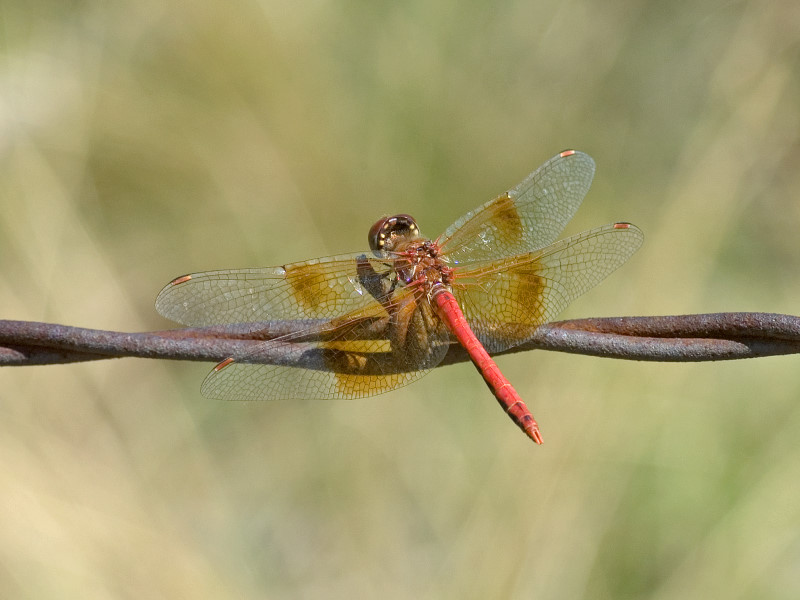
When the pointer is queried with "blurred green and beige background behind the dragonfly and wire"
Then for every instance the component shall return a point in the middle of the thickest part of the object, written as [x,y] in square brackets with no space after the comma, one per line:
[140,141]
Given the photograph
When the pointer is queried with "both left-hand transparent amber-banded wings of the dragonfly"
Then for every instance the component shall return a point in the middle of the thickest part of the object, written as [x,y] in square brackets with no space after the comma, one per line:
[340,356]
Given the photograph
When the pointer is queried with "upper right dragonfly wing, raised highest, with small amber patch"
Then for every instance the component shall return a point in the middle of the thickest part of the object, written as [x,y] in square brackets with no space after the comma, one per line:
[526,218]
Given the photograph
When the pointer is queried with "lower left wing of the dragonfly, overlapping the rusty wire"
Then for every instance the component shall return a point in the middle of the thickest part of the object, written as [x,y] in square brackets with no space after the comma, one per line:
[346,361]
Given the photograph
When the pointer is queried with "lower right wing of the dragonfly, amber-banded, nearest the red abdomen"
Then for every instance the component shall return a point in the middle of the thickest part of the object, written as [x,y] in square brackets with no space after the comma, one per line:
[506,300]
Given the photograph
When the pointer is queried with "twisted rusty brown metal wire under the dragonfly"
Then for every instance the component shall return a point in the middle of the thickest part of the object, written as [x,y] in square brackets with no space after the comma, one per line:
[681,338]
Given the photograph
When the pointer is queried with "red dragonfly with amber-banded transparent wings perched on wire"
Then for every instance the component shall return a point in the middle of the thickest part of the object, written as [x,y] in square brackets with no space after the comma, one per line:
[370,324]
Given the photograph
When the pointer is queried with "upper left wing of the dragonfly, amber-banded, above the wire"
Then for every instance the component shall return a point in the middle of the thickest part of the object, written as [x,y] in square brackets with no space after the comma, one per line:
[324,288]
